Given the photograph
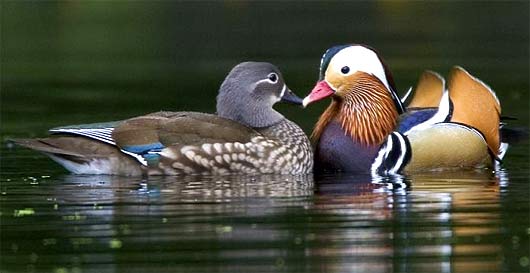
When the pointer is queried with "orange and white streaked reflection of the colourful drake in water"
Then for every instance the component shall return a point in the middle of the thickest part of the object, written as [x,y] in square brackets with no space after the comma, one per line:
[421,223]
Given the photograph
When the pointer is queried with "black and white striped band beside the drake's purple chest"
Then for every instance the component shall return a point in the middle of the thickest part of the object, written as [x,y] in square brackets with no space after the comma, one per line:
[393,155]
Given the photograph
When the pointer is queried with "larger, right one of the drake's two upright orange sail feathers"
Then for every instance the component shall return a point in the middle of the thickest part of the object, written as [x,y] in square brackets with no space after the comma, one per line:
[476,105]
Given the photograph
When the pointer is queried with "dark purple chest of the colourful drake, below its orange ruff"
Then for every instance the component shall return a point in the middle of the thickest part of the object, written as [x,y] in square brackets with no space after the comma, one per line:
[337,151]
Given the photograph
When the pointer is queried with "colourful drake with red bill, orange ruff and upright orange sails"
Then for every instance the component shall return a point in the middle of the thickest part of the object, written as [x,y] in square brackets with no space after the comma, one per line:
[366,128]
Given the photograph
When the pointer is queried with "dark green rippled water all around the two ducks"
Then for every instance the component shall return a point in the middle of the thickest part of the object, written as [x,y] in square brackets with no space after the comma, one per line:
[74,62]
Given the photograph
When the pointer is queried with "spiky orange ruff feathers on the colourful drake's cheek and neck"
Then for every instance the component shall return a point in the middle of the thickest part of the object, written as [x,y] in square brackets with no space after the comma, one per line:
[367,113]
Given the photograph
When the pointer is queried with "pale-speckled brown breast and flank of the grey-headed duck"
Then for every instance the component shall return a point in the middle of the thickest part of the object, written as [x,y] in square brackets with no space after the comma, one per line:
[282,148]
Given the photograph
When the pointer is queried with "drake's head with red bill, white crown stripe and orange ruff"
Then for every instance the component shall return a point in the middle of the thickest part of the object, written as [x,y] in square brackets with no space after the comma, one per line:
[362,91]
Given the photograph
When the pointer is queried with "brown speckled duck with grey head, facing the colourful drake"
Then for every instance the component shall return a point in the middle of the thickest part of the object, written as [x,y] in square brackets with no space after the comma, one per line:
[246,136]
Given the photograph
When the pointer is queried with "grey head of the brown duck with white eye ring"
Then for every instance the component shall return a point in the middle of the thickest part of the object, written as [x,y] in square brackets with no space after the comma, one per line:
[249,92]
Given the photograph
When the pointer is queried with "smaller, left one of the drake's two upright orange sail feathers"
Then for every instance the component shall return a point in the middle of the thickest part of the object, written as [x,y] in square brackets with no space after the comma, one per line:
[428,91]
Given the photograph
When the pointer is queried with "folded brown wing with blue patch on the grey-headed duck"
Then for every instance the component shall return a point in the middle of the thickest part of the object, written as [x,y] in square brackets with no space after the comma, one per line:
[146,137]
